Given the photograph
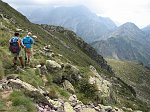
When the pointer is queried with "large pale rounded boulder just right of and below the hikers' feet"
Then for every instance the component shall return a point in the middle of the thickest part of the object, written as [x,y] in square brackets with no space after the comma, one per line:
[53,66]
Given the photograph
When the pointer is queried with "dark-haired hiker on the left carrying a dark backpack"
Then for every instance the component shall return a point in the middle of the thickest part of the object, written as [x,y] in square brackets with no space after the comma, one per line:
[15,45]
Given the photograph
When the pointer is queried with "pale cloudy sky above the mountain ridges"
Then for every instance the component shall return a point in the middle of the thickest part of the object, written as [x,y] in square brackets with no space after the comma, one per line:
[120,11]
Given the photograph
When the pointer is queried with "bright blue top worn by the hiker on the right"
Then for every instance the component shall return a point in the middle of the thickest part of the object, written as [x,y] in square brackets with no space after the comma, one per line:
[28,41]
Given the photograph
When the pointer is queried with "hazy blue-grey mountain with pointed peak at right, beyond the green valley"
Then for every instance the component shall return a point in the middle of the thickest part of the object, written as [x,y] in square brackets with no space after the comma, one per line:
[127,42]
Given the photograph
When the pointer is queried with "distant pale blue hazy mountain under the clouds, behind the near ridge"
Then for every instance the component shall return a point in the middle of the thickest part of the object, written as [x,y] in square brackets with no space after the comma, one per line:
[78,18]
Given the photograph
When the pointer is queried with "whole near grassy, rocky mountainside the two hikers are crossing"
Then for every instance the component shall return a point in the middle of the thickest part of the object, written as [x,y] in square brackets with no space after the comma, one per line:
[59,56]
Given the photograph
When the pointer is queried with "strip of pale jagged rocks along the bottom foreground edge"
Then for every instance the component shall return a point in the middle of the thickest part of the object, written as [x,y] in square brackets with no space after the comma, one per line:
[57,105]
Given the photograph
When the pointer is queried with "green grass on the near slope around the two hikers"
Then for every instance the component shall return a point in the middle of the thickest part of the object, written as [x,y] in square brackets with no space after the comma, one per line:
[77,58]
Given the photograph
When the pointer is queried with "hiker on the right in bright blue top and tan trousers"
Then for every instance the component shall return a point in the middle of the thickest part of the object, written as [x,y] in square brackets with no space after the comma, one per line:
[28,41]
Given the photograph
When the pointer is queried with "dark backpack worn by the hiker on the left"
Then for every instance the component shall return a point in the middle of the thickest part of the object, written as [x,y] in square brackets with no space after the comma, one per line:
[14,45]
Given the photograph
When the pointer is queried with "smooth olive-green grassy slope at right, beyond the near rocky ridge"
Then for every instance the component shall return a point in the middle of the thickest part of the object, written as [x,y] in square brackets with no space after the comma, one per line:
[135,75]
